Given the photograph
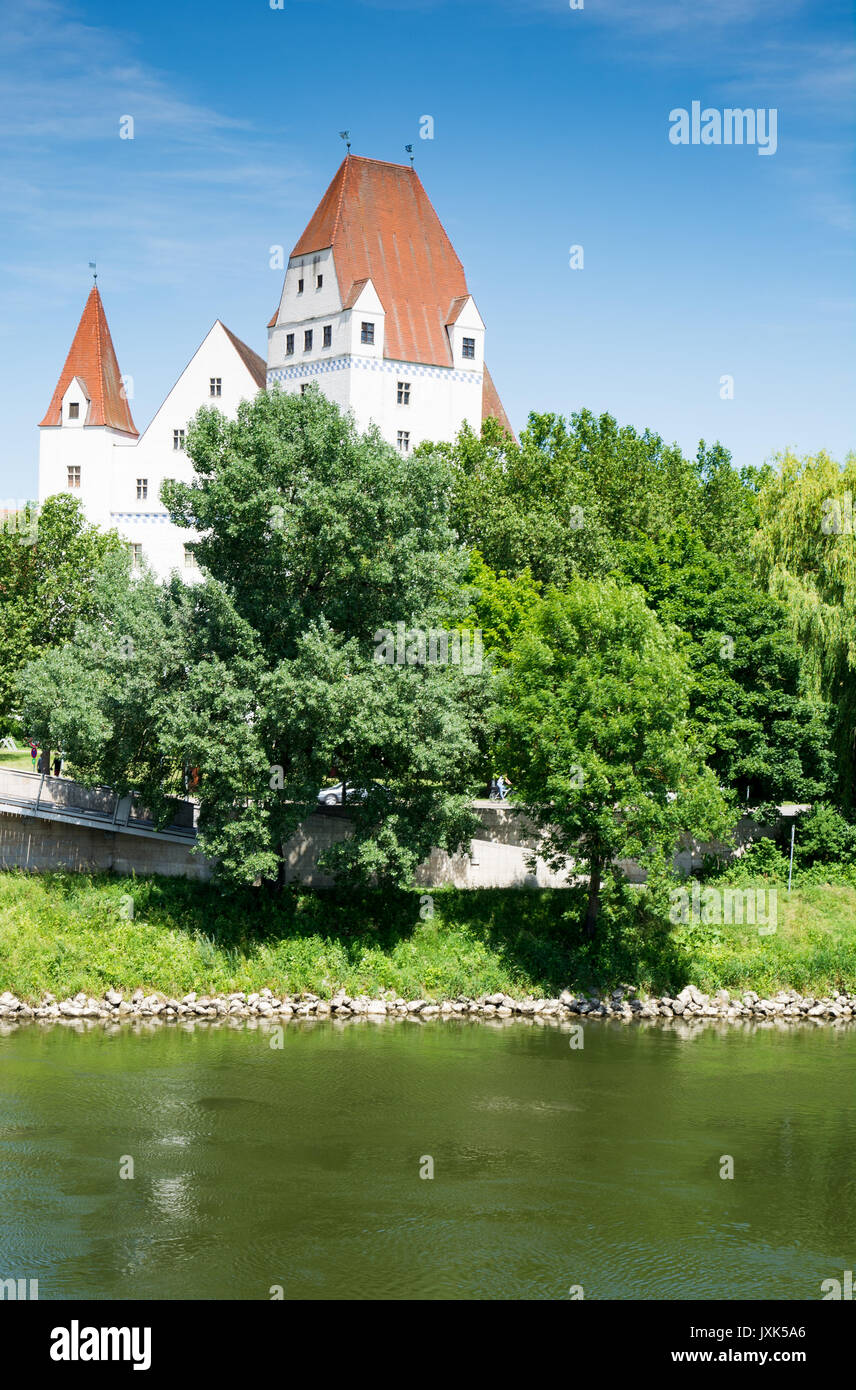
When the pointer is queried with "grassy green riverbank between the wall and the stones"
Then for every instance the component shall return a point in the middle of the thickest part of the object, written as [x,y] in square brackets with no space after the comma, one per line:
[63,933]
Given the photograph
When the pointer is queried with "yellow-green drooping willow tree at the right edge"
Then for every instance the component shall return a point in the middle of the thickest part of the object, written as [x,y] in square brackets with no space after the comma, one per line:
[807,557]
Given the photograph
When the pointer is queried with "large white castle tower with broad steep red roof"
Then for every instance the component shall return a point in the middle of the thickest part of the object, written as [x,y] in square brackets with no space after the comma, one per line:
[376,311]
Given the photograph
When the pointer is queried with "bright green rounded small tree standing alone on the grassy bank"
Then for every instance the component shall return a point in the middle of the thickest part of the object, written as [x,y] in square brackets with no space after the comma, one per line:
[593,725]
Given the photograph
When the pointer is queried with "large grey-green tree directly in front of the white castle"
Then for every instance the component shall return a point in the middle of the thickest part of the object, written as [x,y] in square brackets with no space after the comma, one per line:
[263,679]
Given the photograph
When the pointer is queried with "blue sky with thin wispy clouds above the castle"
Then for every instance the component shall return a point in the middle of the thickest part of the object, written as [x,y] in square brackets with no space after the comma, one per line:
[551,129]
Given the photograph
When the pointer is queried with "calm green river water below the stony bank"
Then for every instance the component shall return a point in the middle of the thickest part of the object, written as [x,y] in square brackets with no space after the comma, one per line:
[552,1167]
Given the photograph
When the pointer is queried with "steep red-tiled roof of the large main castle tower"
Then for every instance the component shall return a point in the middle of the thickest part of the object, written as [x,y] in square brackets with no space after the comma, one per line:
[381,226]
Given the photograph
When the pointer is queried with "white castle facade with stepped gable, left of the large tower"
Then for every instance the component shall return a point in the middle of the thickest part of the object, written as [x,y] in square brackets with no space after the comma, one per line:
[119,477]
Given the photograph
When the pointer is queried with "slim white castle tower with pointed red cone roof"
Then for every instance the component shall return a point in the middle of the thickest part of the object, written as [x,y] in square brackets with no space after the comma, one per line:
[87,418]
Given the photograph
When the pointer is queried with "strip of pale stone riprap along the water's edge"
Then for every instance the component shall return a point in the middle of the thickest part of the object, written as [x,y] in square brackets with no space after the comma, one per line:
[623,1006]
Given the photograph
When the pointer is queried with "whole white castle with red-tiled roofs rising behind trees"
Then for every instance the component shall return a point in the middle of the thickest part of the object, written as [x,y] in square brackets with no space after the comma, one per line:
[374,309]
